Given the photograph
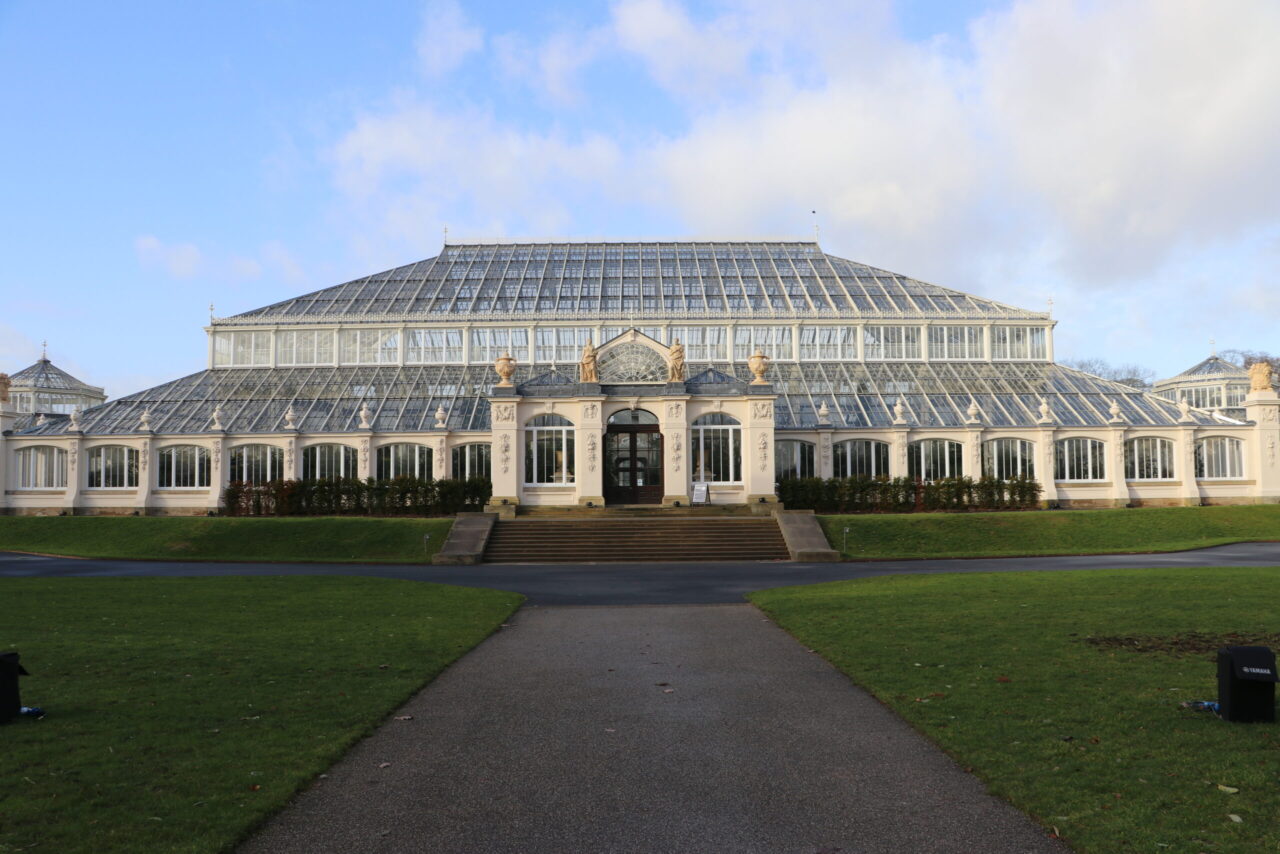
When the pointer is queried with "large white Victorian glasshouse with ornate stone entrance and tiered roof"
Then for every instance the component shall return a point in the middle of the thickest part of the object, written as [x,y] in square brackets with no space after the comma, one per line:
[573,375]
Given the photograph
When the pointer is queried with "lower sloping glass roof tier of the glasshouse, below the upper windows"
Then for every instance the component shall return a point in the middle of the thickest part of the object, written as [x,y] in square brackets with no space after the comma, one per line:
[328,400]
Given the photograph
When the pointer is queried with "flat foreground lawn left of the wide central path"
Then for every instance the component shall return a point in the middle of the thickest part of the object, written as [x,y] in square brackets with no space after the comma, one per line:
[182,713]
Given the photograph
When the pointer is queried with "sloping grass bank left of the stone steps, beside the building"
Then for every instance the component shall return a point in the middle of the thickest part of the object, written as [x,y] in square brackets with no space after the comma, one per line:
[202,538]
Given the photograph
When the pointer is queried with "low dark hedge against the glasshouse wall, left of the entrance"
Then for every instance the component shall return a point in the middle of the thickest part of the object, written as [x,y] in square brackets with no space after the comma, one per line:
[356,497]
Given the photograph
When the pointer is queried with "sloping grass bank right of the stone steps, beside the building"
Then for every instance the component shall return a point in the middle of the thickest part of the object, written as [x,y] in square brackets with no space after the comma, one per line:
[1067,532]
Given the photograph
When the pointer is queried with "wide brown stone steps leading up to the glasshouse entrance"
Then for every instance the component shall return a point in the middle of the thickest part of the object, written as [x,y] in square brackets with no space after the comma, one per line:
[644,538]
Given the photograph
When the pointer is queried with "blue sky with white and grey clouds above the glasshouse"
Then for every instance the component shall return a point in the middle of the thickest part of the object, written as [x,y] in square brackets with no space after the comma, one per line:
[1119,158]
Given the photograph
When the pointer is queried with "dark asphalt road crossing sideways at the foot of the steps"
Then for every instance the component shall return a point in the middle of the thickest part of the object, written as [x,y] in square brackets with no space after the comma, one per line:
[705,583]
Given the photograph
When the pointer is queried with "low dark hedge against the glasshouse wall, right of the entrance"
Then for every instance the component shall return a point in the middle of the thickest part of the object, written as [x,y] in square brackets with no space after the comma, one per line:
[907,495]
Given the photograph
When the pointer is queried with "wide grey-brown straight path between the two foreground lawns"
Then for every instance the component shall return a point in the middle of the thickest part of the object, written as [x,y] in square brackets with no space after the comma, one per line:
[650,730]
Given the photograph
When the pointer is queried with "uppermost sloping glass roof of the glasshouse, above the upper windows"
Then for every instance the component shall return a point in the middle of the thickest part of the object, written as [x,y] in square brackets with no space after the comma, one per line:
[614,281]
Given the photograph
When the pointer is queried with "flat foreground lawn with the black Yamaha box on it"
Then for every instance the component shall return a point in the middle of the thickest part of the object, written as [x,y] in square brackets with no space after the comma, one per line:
[1089,739]
